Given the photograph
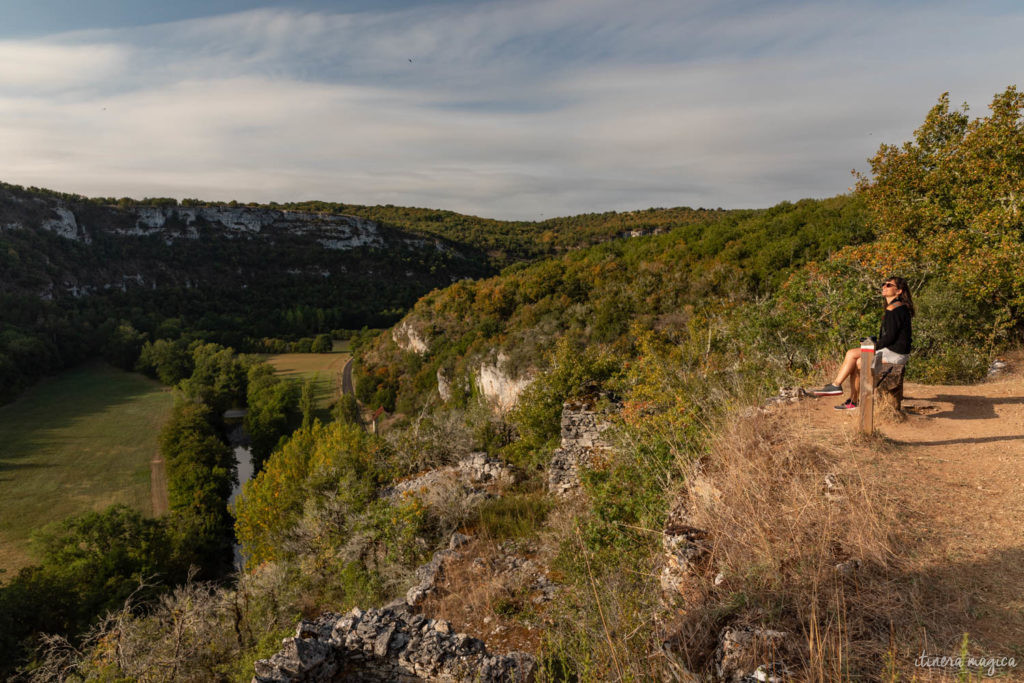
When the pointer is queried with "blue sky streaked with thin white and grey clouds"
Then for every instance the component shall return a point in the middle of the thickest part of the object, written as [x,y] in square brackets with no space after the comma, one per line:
[510,110]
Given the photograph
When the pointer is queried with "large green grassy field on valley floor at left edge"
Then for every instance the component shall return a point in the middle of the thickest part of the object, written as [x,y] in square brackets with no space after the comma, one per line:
[78,442]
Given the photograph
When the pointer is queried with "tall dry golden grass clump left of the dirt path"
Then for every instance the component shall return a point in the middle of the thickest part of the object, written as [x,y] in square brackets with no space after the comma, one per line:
[785,507]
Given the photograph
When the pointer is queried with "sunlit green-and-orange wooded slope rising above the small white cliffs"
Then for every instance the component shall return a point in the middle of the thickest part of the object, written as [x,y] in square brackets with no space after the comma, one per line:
[602,297]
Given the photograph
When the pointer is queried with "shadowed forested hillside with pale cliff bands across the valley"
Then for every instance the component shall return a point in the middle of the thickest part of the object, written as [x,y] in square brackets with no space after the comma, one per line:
[79,278]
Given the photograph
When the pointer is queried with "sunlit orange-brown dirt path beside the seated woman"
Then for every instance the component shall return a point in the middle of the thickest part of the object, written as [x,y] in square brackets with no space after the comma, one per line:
[956,467]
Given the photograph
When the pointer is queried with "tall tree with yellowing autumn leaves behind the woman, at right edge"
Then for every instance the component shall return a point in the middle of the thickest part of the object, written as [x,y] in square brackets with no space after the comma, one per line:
[951,200]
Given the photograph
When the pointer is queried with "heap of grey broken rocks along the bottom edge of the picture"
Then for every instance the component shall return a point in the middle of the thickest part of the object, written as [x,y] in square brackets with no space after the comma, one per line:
[393,644]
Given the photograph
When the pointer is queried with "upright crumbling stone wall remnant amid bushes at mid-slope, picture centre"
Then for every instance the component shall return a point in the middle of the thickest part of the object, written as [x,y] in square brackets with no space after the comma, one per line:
[584,442]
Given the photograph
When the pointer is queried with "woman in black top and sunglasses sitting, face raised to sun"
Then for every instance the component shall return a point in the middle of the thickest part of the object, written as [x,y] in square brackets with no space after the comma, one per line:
[893,346]
